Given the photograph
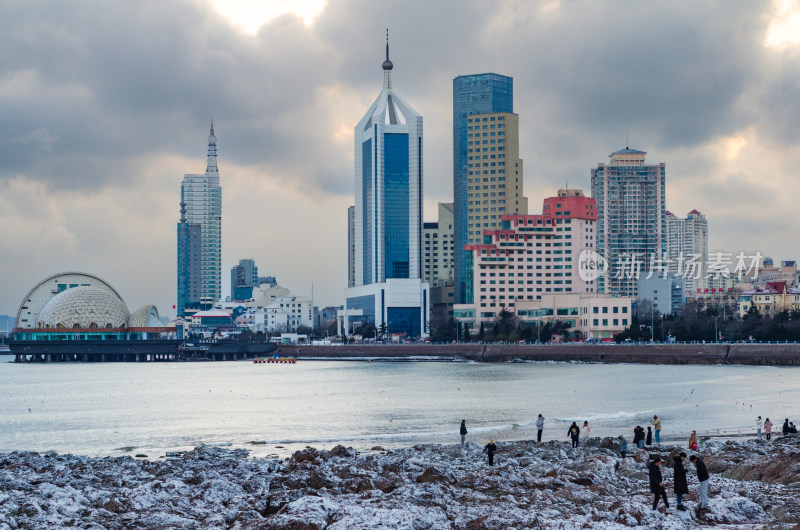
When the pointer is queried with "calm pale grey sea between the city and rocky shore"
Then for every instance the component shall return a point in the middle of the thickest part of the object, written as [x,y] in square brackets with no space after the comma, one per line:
[128,408]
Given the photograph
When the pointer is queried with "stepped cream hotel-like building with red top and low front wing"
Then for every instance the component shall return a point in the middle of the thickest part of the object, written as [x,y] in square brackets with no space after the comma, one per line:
[530,268]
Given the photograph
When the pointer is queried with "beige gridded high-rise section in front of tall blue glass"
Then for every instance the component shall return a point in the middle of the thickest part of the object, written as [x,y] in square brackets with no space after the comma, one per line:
[494,172]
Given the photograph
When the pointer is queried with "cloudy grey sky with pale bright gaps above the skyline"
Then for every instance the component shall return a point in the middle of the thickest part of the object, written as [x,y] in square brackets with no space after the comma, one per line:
[105,105]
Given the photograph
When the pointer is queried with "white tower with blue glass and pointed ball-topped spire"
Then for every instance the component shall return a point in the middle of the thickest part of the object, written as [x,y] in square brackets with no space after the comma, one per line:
[388,287]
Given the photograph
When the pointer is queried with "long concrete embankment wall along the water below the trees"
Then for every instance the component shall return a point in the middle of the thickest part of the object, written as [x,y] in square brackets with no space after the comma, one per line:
[750,354]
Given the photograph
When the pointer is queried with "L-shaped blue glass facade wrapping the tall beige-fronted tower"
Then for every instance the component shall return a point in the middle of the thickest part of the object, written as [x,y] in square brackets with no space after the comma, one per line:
[472,94]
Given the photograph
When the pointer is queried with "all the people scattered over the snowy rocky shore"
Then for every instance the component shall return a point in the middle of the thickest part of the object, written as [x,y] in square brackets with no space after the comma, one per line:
[640,440]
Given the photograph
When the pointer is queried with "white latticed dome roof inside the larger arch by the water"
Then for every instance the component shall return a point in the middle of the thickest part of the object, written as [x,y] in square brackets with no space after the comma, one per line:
[84,307]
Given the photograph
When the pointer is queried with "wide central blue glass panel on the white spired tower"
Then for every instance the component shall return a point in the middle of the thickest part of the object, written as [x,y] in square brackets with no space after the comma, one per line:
[395,205]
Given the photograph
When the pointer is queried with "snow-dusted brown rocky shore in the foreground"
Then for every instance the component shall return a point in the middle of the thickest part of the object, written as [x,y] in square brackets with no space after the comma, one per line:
[755,484]
